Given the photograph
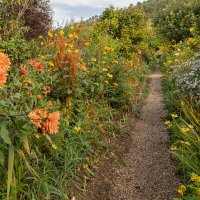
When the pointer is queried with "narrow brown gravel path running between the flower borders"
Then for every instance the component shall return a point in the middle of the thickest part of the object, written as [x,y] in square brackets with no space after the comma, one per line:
[148,173]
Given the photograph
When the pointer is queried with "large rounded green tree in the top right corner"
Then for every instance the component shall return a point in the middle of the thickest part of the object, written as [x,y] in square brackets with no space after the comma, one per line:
[176,19]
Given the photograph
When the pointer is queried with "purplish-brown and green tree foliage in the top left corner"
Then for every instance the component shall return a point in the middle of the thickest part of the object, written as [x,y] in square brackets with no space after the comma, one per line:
[30,17]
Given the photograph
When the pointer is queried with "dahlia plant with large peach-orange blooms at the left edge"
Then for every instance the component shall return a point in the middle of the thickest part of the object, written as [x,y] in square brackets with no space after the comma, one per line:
[26,112]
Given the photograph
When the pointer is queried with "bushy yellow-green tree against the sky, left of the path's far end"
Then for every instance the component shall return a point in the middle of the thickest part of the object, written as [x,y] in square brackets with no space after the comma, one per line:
[126,25]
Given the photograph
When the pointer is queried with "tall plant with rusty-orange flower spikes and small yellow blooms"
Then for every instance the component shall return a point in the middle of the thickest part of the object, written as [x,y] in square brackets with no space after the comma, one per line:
[63,60]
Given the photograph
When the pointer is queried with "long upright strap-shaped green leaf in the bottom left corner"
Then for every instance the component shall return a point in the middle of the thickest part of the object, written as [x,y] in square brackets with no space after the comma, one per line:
[11,156]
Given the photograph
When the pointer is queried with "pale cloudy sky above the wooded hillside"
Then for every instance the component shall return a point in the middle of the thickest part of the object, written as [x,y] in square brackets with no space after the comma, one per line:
[77,9]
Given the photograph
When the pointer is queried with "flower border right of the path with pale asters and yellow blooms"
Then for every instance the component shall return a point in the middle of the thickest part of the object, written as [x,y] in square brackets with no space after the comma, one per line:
[180,66]
